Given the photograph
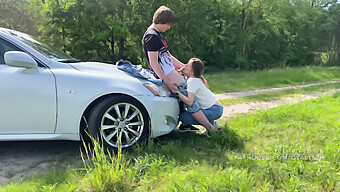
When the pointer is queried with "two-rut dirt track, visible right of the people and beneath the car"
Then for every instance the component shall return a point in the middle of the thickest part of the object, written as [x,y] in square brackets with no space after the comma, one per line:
[20,160]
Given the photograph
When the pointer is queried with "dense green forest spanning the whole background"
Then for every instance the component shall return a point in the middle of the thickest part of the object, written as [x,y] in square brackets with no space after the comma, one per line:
[225,34]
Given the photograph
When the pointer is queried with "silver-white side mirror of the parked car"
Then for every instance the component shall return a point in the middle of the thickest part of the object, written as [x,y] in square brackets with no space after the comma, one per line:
[20,59]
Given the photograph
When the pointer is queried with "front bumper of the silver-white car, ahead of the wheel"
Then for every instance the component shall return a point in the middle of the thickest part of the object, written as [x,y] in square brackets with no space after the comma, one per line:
[163,113]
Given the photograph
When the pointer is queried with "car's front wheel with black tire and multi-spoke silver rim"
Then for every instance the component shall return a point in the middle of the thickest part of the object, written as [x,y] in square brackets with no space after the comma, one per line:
[119,121]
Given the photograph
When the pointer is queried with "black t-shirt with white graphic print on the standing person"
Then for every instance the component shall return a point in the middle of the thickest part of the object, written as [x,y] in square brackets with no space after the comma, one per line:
[154,41]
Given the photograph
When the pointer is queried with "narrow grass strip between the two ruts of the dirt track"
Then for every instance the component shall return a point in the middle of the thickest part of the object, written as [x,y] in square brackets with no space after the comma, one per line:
[267,96]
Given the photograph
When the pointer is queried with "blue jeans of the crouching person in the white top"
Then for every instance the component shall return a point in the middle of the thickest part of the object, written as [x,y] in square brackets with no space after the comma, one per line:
[212,113]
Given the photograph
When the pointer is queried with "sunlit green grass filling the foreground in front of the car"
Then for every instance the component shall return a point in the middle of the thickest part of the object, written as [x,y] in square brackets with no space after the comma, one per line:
[288,148]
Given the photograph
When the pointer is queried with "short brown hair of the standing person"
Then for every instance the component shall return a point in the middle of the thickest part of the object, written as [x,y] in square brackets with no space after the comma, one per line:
[164,15]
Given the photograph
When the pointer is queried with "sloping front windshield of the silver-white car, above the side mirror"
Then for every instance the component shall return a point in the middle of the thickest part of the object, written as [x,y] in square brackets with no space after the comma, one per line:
[43,48]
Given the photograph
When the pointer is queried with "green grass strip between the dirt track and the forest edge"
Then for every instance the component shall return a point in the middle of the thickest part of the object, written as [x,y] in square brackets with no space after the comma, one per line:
[244,81]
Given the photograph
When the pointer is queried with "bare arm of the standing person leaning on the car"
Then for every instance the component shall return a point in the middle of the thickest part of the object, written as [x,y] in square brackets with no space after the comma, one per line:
[153,59]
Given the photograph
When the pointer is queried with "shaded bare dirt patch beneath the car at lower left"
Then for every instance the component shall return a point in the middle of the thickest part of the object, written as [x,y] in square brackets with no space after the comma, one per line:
[19,160]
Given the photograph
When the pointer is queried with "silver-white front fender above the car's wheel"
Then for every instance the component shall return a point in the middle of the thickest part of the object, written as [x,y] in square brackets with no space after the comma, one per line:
[74,96]
